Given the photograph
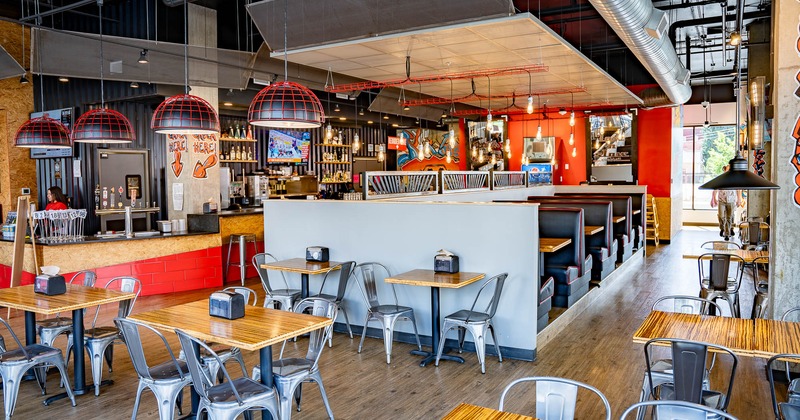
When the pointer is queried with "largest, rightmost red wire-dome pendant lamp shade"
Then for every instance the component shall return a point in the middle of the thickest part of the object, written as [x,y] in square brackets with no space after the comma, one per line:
[286,105]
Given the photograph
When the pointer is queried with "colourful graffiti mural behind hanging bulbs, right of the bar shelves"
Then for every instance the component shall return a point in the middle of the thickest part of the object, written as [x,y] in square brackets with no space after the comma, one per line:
[435,148]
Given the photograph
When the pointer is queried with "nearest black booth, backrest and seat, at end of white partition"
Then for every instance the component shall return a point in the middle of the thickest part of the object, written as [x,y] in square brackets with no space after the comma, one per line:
[569,266]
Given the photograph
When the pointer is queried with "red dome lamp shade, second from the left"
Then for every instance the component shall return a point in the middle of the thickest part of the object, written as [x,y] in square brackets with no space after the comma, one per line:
[103,126]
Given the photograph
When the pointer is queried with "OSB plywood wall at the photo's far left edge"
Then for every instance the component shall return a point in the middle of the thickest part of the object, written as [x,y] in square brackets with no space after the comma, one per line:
[17,169]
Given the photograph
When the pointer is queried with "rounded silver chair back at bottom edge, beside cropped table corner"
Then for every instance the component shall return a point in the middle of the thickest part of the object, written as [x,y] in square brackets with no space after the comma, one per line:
[556,397]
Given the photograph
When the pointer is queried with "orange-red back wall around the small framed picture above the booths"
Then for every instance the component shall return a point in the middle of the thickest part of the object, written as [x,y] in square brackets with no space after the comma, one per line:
[520,126]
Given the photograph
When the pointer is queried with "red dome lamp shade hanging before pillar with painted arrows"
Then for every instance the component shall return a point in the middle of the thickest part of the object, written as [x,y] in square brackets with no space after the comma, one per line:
[185,114]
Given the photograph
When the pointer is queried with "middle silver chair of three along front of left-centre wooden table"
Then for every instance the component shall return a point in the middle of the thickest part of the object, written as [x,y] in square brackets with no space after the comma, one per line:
[230,398]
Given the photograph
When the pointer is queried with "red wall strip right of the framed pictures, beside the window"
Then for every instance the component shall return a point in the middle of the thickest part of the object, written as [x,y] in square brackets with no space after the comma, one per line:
[655,150]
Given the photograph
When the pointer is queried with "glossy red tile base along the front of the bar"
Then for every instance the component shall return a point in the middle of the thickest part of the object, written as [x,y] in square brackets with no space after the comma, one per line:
[172,273]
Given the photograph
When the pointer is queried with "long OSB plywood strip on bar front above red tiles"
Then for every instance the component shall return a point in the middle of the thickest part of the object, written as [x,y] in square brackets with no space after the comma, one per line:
[90,255]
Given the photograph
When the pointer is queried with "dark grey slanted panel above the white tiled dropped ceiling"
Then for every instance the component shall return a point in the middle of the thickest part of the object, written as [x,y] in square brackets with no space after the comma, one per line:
[317,22]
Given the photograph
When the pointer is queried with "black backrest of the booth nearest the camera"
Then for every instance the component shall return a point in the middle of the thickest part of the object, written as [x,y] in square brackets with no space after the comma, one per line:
[564,222]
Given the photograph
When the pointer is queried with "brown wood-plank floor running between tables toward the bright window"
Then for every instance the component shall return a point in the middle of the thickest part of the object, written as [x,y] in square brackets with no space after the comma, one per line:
[597,349]
